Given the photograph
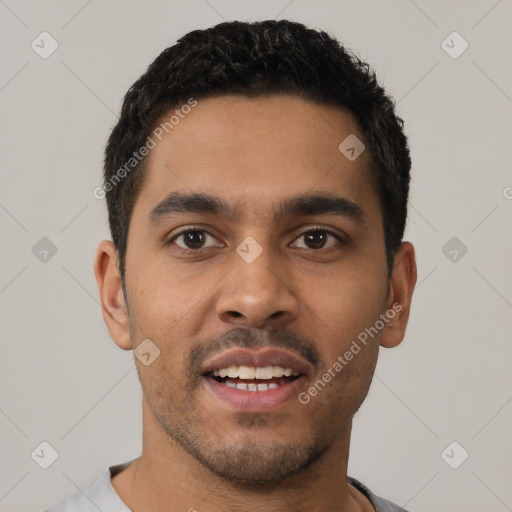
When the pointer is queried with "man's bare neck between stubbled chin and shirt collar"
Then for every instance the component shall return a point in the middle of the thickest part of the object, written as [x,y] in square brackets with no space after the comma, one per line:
[166,477]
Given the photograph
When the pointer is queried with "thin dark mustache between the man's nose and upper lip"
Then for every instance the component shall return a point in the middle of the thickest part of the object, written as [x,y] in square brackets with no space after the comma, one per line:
[247,338]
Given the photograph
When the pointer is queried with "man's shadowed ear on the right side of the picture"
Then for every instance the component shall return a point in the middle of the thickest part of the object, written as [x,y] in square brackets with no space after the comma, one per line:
[403,280]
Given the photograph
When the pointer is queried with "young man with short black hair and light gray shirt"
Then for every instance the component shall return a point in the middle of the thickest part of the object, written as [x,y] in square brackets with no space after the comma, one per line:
[257,185]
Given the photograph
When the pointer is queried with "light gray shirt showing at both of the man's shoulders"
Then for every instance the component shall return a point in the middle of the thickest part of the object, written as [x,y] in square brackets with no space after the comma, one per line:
[101,495]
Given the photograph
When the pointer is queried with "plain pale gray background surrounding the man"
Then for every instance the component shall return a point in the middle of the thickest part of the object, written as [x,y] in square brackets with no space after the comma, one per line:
[64,381]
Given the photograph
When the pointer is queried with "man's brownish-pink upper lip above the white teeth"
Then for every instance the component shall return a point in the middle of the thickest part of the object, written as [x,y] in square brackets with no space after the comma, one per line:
[263,357]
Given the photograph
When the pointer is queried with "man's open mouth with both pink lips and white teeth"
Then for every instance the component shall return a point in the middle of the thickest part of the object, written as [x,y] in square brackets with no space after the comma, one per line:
[255,381]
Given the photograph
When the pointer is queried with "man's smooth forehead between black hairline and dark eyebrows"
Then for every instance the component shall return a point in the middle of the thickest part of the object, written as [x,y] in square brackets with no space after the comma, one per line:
[255,151]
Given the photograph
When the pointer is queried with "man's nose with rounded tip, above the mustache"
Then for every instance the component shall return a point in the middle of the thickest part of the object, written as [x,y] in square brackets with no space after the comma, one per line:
[257,294]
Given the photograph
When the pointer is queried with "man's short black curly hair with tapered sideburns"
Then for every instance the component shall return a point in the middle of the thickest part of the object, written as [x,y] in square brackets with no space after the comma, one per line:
[257,59]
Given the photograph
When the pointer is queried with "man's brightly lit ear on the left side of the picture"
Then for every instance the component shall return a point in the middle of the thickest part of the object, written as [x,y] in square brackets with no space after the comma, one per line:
[113,305]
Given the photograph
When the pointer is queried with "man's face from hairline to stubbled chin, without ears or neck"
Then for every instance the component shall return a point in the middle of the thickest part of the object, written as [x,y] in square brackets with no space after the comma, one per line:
[256,250]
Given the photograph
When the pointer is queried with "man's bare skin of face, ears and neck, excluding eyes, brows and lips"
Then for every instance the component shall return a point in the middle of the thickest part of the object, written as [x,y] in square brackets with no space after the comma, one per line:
[197,451]
